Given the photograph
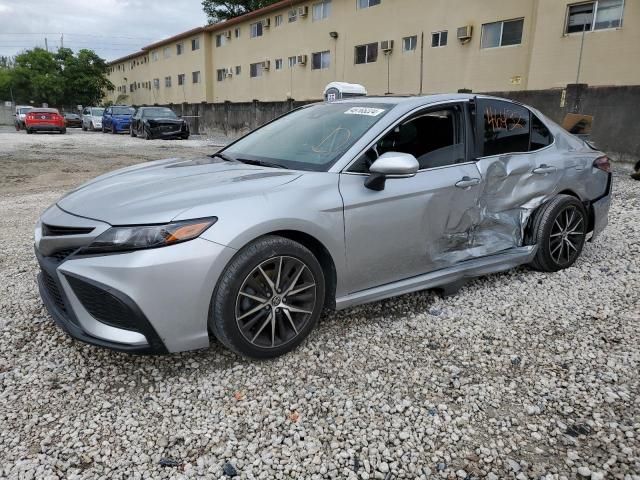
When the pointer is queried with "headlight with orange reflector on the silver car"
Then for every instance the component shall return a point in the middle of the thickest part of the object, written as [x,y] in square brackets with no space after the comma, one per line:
[120,239]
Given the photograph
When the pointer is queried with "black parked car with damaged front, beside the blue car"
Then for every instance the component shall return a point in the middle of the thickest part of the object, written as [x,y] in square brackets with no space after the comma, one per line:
[158,122]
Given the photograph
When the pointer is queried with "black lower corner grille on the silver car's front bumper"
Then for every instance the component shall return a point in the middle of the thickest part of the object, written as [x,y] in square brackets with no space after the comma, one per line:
[102,305]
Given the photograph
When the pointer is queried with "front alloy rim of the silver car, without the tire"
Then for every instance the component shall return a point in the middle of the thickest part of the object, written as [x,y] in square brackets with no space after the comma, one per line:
[276,301]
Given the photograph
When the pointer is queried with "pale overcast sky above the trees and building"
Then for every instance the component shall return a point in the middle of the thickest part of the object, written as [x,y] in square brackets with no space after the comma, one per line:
[113,28]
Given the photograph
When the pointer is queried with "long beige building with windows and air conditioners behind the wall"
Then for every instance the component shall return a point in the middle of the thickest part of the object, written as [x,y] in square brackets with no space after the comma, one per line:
[293,48]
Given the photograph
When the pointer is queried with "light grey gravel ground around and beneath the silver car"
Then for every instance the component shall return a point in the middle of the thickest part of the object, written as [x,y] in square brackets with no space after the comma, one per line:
[520,375]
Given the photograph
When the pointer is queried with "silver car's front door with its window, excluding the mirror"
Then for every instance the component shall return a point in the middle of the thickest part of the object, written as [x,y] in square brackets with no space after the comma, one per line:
[418,224]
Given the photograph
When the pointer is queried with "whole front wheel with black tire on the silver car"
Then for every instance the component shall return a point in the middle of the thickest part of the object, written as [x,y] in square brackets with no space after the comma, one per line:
[291,327]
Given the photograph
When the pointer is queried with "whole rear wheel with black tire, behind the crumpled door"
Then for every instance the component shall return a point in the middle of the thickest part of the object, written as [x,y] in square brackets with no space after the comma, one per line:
[559,229]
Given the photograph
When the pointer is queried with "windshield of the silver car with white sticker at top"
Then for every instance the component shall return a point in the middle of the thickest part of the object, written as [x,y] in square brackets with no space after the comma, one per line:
[311,138]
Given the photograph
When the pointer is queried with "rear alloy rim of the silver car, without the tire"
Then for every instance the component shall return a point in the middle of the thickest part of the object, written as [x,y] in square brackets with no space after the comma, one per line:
[566,235]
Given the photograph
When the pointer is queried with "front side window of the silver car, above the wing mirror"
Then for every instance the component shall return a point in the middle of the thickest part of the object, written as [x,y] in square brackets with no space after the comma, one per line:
[434,137]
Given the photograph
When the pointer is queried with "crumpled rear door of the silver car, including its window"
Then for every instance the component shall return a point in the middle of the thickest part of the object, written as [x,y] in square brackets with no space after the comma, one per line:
[519,169]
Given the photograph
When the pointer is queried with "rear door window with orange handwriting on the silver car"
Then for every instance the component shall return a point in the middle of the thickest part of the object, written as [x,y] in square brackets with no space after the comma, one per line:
[505,126]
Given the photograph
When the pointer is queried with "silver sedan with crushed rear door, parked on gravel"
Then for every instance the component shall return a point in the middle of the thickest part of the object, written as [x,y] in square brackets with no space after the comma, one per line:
[332,205]
